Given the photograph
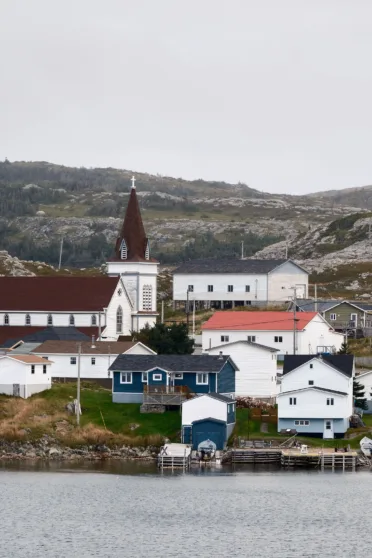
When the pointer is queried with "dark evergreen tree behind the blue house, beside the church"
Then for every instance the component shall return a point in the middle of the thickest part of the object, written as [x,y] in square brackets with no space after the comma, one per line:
[166,340]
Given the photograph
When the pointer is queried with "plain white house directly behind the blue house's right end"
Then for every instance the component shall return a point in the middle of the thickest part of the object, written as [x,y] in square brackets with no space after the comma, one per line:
[257,368]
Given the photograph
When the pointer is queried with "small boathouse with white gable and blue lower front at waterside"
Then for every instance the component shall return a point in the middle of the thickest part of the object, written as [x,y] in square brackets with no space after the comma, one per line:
[209,417]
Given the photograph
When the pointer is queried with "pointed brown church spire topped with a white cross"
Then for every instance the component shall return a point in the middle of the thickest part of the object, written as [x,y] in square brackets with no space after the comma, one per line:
[132,243]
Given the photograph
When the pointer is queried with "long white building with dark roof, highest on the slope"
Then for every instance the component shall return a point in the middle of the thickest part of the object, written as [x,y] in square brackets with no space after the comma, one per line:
[230,282]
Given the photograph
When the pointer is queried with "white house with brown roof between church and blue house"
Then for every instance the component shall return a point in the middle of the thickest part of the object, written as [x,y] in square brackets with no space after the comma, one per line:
[95,357]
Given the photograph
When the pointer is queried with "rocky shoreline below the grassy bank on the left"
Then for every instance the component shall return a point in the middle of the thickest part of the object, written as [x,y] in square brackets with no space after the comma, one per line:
[48,448]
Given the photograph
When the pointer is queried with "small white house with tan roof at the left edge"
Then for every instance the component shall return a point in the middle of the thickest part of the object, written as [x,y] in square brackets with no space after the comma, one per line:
[24,375]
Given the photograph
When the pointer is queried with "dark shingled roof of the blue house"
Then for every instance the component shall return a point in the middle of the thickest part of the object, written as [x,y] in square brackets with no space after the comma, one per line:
[170,363]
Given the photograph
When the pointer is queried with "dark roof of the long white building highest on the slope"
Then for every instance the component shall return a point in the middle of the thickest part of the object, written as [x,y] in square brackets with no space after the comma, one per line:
[229,266]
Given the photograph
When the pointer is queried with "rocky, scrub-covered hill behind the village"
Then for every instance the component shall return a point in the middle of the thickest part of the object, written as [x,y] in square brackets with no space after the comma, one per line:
[40,203]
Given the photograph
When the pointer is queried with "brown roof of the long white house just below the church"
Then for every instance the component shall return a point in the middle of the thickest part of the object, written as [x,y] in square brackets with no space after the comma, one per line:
[87,348]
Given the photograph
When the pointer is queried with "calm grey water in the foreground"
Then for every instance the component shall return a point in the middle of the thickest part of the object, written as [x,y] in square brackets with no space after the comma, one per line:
[134,511]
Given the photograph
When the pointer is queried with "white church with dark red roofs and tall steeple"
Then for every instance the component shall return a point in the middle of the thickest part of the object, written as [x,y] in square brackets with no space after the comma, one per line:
[107,307]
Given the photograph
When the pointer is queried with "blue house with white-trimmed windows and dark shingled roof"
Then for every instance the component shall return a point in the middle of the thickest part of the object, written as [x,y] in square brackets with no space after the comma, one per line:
[170,379]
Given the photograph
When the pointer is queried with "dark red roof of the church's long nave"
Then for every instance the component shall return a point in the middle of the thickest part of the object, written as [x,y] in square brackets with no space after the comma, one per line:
[58,294]
